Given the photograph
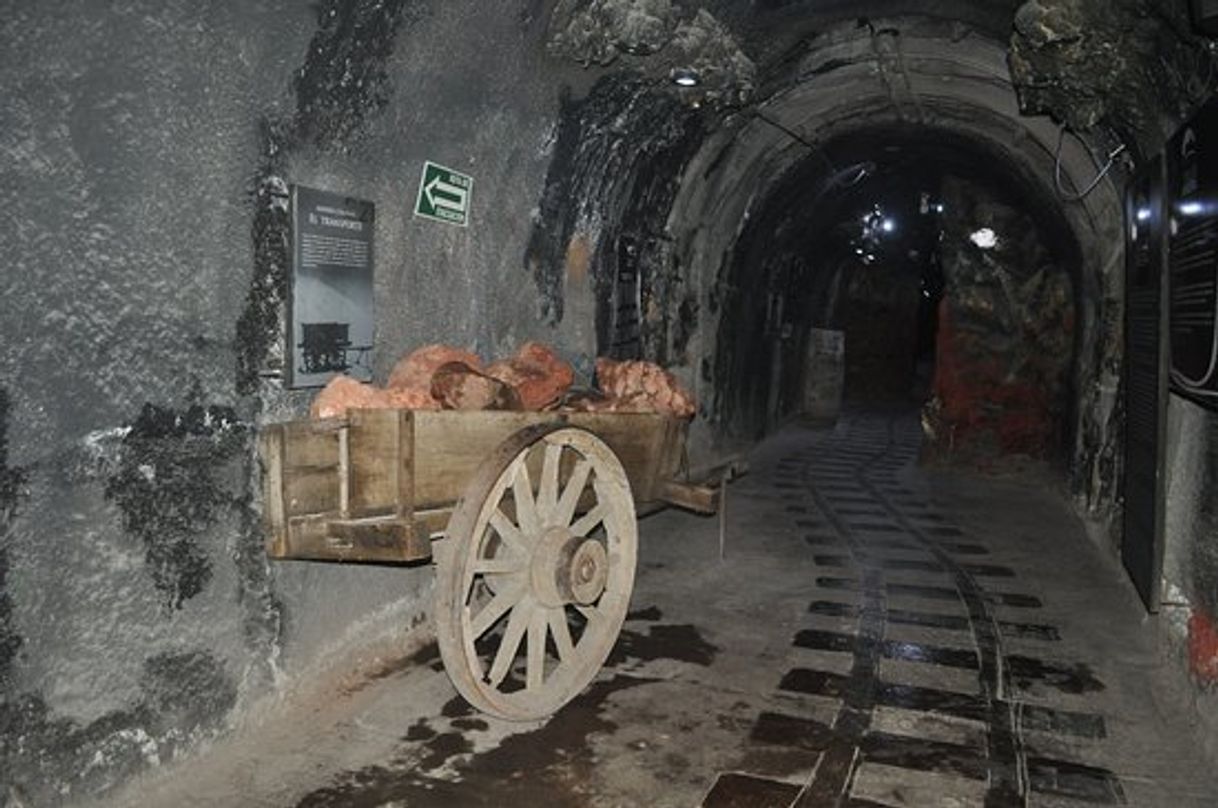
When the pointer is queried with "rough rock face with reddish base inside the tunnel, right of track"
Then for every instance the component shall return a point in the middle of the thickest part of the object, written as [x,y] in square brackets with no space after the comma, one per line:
[1005,339]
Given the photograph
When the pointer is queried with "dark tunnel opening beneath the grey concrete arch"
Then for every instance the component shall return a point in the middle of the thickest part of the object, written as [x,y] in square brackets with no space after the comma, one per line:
[873,235]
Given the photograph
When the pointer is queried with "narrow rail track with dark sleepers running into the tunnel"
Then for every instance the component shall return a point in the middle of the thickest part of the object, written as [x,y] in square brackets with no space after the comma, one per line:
[924,616]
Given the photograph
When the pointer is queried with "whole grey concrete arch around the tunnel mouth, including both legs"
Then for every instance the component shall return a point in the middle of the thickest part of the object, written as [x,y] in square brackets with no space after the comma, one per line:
[919,75]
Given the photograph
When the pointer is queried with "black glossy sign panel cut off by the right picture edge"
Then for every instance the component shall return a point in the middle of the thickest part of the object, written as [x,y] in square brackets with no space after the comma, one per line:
[1193,196]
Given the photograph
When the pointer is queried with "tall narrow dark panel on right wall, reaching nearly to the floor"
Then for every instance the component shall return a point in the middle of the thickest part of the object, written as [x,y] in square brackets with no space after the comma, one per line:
[1146,383]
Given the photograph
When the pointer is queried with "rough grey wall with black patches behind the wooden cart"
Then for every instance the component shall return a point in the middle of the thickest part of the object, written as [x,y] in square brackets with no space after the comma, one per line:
[146,154]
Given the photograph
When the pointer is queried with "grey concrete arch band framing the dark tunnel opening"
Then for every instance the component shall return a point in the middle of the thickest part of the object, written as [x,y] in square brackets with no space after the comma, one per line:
[890,81]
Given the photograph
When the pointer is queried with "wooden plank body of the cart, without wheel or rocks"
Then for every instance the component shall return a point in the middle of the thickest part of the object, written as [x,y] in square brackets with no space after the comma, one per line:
[350,489]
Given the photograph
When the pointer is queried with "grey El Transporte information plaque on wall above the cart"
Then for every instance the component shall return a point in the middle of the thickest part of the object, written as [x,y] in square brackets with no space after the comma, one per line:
[332,302]
